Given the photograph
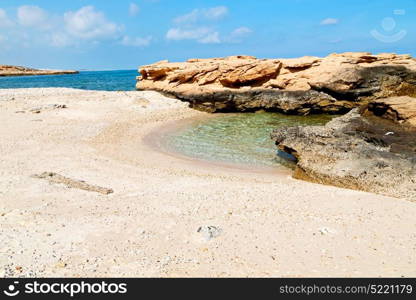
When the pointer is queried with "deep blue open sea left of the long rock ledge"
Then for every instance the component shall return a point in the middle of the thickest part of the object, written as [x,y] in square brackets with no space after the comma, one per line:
[122,80]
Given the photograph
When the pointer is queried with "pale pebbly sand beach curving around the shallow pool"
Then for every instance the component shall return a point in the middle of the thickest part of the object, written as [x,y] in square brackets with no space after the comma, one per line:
[154,224]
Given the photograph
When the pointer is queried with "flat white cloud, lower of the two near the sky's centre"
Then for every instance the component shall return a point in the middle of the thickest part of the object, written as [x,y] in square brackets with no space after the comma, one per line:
[203,35]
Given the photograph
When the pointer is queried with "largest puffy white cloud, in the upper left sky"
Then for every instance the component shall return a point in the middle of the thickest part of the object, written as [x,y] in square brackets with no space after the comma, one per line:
[88,23]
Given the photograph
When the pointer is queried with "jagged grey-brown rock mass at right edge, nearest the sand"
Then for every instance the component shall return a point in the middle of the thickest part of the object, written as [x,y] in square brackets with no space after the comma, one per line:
[372,148]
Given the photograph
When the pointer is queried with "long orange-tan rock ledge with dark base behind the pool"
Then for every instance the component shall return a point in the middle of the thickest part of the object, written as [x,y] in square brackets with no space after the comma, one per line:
[334,84]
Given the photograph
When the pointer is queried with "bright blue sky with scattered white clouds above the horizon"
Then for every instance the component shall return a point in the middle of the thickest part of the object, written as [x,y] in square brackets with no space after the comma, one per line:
[124,34]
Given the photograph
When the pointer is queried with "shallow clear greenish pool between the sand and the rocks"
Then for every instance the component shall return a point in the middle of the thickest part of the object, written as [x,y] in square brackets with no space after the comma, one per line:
[241,138]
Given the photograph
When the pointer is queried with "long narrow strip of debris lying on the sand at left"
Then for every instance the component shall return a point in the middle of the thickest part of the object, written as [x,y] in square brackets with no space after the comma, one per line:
[72,183]
